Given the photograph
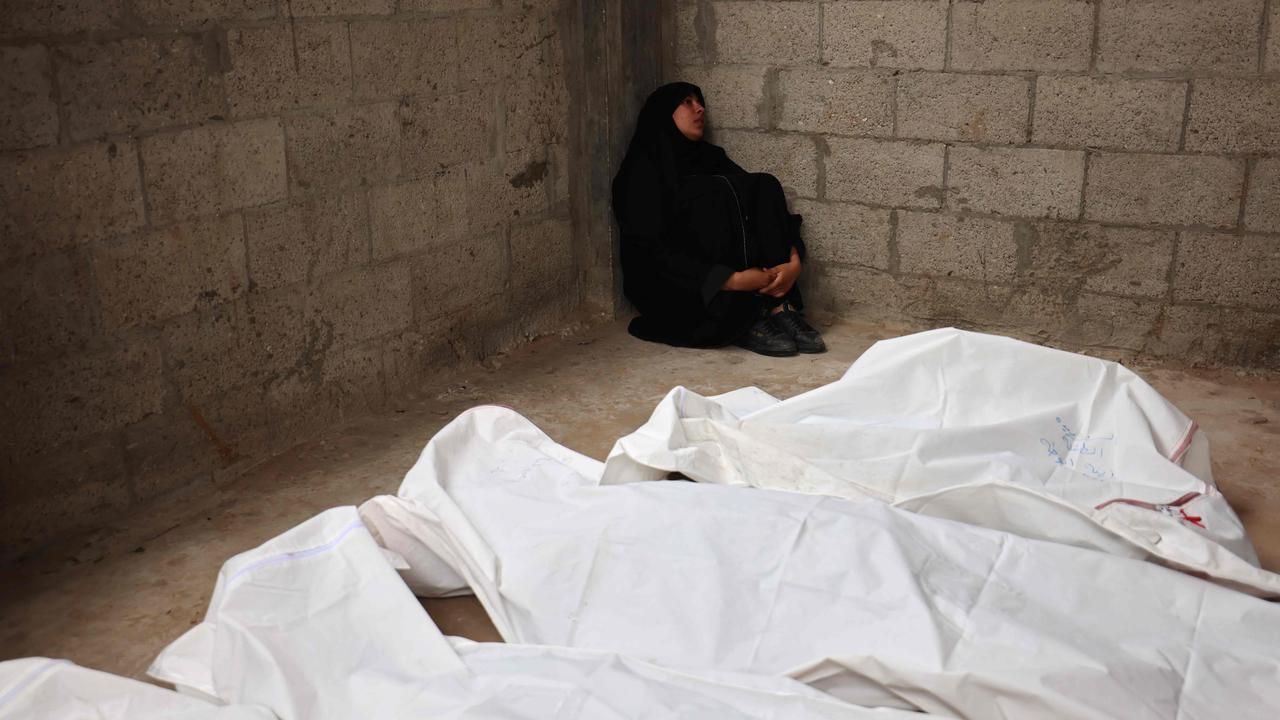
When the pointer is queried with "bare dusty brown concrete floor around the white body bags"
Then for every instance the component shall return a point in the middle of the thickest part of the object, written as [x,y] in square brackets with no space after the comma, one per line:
[115,599]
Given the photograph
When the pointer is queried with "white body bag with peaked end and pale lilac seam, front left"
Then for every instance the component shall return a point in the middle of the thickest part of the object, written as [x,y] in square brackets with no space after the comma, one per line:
[317,626]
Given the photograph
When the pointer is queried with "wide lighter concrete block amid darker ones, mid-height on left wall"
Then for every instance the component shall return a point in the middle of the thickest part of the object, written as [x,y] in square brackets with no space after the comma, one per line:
[214,170]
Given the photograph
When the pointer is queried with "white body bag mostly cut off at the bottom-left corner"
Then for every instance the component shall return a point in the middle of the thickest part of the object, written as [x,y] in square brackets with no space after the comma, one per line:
[39,689]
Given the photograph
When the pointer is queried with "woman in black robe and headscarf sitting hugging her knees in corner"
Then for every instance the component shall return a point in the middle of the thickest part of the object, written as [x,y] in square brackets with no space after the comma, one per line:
[710,253]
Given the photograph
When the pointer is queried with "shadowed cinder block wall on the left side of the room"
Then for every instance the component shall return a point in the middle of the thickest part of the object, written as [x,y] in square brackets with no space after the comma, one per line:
[226,225]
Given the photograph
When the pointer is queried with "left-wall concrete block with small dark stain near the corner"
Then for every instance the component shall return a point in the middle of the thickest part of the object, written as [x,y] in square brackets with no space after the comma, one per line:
[509,188]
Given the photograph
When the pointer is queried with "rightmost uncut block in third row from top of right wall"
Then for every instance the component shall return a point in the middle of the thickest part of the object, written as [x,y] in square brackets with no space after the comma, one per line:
[1164,190]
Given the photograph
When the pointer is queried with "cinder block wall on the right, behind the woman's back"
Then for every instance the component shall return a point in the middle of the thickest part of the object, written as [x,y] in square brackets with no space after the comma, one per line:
[1089,174]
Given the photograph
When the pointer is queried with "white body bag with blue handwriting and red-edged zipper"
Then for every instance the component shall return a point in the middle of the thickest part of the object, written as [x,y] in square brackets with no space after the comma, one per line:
[977,429]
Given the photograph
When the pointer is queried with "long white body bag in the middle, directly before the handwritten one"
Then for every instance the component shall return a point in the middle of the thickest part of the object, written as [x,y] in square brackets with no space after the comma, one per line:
[872,604]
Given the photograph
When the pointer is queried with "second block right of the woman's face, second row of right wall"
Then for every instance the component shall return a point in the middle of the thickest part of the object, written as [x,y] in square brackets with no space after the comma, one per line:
[963,108]
